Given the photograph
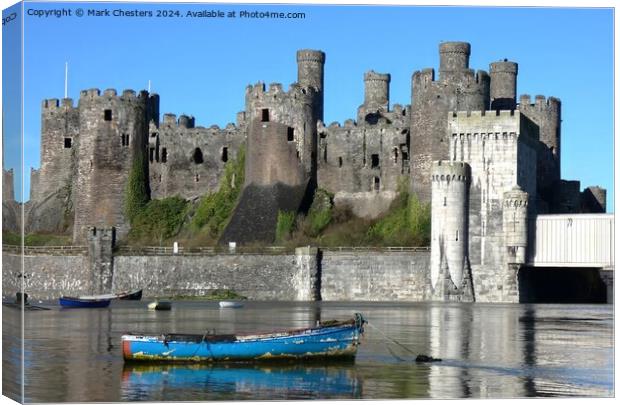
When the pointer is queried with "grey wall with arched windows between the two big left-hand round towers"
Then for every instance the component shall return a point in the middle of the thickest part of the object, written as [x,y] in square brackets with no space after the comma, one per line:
[188,161]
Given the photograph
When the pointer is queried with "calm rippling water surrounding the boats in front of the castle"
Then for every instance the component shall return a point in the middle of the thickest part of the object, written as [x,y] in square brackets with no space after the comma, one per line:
[488,351]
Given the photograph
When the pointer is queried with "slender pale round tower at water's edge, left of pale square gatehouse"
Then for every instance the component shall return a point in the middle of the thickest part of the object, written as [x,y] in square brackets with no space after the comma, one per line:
[450,273]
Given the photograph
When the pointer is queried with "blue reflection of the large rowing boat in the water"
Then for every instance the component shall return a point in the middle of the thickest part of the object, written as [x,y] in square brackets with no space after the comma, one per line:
[277,381]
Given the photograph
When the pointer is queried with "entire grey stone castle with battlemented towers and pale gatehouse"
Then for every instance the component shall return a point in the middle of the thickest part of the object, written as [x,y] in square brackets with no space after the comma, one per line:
[487,160]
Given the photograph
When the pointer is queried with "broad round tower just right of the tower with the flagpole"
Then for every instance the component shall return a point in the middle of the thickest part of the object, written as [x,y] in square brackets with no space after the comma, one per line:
[112,165]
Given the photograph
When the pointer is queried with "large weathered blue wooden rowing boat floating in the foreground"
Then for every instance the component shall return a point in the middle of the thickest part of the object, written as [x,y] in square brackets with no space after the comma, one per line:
[333,339]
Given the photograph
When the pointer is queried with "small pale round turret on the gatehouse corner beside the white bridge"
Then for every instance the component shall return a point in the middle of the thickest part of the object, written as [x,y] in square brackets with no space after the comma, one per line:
[515,206]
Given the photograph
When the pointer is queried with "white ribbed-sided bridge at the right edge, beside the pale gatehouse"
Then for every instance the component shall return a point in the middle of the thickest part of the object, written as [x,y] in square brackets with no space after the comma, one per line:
[571,242]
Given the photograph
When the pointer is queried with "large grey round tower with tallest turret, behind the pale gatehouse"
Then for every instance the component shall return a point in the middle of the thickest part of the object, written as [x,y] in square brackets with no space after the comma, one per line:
[458,89]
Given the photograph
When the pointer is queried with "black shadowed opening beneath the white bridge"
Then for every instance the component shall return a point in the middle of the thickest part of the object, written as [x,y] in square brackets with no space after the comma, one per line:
[546,285]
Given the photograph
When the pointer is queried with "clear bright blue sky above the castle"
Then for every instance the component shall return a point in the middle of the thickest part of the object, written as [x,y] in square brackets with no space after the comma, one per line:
[201,66]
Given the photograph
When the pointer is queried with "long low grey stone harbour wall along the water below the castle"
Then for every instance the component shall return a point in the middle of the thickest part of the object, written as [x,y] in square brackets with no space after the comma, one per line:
[307,274]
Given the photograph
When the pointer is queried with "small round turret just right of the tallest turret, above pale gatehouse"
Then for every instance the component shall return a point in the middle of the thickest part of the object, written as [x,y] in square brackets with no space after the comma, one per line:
[503,85]
